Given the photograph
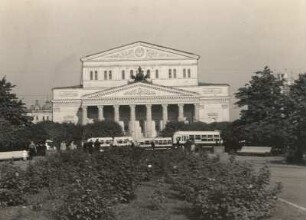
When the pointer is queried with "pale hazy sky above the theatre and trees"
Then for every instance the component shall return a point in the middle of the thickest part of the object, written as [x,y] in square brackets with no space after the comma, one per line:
[42,41]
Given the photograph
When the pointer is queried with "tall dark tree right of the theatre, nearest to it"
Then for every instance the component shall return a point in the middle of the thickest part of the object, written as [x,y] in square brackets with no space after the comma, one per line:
[263,111]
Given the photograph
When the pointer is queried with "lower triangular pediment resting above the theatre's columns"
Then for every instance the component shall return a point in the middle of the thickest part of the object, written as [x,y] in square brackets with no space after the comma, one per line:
[140,90]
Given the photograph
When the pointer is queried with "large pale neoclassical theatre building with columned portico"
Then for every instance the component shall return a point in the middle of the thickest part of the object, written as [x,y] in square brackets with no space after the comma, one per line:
[141,86]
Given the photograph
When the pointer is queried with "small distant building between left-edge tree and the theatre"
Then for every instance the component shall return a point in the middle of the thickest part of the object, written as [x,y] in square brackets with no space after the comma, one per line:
[40,113]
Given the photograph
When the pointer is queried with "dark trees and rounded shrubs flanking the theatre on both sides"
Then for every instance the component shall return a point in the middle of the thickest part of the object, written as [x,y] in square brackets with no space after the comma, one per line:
[272,114]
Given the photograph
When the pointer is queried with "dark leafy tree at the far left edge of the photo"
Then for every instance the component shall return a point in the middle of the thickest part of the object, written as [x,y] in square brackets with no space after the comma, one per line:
[12,109]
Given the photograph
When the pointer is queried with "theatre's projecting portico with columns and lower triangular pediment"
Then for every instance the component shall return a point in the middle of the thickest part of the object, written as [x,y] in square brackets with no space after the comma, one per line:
[134,113]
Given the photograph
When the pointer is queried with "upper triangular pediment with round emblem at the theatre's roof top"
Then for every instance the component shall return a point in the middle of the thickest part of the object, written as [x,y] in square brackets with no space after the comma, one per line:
[140,51]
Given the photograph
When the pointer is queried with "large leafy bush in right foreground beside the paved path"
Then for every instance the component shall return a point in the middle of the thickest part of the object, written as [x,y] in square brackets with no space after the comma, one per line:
[225,190]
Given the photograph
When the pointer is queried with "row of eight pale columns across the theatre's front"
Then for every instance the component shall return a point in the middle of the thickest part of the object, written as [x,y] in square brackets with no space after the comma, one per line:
[133,112]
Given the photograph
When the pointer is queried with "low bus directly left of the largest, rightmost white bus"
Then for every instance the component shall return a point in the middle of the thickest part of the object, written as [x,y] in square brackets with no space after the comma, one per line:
[161,143]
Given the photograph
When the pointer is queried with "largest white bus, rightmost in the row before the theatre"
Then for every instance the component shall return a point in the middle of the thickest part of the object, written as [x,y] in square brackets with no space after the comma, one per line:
[200,138]
